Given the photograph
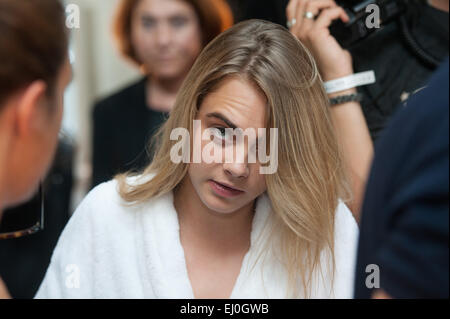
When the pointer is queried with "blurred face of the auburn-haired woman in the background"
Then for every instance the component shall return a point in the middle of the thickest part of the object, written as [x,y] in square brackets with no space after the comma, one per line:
[166,37]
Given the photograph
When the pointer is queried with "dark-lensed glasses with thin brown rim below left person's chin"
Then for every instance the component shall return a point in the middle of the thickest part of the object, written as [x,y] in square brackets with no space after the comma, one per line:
[24,220]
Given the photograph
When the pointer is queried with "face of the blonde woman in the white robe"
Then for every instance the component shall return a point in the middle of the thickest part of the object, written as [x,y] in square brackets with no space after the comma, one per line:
[239,103]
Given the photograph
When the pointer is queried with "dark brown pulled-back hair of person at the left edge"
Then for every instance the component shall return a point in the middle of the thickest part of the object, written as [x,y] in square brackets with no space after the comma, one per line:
[33,44]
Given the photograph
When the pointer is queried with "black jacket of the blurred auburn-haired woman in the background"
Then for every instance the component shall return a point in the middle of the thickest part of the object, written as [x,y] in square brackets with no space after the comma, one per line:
[123,127]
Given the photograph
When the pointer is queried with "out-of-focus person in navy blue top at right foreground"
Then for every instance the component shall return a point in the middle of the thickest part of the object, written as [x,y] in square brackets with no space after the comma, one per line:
[403,249]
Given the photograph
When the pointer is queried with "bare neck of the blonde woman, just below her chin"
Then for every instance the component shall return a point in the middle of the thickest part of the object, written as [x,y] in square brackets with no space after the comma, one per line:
[210,230]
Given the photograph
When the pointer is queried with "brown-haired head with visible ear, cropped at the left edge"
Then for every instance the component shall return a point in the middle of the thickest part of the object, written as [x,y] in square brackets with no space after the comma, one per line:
[34,72]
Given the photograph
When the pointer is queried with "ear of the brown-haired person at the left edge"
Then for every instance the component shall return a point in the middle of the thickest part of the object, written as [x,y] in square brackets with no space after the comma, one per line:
[29,107]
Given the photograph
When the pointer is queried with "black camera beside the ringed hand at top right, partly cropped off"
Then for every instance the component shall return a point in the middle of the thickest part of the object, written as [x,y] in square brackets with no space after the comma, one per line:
[361,21]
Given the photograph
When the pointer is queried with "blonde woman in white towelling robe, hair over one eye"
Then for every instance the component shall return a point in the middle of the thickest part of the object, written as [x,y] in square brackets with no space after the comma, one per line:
[224,230]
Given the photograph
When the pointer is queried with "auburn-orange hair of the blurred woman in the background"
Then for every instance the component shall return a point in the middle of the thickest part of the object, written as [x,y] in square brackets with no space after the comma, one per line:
[215,16]
